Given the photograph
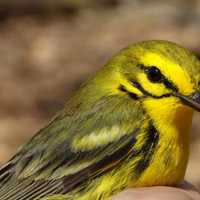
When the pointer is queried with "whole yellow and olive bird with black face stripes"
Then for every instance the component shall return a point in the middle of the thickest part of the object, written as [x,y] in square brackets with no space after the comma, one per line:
[128,126]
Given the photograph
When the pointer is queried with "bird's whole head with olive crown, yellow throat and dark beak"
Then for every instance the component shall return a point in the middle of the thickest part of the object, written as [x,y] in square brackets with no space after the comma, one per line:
[161,75]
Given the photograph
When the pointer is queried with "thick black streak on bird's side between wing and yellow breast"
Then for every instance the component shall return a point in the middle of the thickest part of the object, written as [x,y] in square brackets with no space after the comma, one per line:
[147,150]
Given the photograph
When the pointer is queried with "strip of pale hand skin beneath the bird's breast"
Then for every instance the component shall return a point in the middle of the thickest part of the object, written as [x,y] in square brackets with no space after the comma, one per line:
[186,191]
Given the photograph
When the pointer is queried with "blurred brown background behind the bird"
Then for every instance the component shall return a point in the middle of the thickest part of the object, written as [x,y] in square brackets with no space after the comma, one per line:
[47,48]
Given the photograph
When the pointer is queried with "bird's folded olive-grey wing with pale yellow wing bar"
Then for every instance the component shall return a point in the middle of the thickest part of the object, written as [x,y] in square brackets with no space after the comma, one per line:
[69,152]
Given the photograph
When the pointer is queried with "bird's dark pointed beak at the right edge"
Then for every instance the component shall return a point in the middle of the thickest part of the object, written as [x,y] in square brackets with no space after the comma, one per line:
[192,100]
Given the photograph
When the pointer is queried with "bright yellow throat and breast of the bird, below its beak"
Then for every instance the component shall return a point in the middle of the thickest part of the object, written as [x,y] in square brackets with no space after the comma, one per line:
[173,123]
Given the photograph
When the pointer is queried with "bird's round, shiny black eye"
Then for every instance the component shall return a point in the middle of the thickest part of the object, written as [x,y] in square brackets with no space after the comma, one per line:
[154,74]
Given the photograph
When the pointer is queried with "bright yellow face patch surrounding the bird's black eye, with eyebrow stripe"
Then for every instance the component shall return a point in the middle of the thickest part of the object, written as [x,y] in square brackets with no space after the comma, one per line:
[161,76]
